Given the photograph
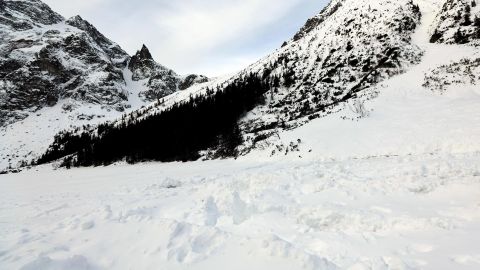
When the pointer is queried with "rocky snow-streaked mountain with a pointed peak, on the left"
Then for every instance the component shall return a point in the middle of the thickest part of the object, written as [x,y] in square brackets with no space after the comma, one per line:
[58,73]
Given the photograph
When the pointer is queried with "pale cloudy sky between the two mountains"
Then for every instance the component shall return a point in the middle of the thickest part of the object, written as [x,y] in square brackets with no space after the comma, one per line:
[209,37]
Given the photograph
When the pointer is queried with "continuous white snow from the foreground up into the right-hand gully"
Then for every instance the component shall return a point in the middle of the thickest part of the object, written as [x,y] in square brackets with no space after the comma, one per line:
[398,189]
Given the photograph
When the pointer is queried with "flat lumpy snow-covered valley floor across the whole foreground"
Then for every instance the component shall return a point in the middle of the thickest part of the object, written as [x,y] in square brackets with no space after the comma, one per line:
[397,212]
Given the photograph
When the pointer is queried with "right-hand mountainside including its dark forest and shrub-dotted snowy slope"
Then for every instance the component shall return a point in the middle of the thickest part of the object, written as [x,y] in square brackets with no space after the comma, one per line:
[338,59]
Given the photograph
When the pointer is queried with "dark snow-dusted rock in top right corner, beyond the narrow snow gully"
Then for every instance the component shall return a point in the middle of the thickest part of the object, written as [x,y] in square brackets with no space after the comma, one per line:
[458,22]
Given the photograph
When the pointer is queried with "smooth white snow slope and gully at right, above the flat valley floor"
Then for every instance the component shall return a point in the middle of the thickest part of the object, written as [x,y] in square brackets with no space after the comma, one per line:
[433,107]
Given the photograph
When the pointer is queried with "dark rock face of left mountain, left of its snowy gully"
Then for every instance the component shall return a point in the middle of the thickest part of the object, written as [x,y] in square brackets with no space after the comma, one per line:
[44,59]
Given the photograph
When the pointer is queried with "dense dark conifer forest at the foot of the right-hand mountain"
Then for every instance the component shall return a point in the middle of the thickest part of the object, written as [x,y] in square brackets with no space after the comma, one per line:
[178,133]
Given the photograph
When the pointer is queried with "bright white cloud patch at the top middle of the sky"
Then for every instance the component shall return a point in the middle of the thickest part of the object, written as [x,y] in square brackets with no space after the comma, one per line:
[209,26]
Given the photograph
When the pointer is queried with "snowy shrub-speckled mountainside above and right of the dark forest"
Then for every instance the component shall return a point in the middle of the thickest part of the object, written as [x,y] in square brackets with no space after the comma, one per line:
[327,61]
